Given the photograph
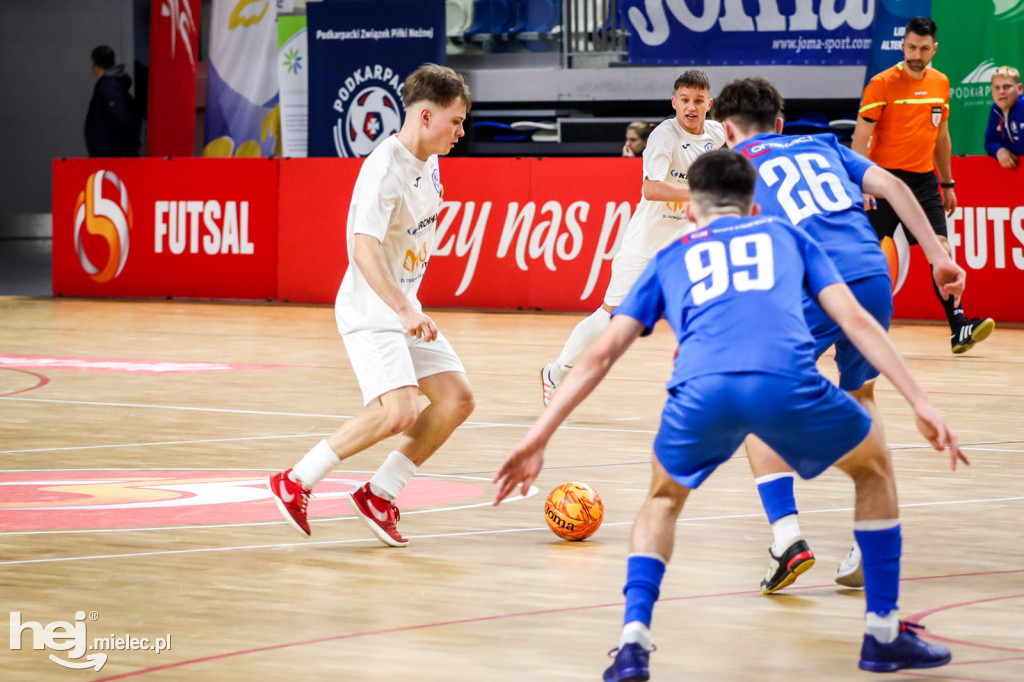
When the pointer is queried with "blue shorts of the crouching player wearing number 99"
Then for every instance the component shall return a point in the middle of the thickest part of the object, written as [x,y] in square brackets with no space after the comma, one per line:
[808,421]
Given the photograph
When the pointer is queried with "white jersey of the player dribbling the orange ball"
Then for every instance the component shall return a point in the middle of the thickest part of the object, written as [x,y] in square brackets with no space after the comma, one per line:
[397,199]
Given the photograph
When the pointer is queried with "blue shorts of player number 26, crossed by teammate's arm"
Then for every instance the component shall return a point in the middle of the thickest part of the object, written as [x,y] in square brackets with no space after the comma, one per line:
[875,293]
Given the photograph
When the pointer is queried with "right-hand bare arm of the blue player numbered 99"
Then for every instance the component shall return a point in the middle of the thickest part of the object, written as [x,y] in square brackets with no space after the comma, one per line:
[873,342]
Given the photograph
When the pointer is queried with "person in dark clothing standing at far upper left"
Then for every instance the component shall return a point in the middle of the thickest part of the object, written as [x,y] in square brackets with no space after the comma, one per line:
[112,124]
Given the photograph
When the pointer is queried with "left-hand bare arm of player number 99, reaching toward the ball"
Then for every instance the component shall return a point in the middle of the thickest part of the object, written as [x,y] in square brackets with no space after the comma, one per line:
[525,462]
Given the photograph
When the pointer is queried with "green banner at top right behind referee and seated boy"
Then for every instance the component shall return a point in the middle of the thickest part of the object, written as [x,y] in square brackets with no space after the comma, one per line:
[975,37]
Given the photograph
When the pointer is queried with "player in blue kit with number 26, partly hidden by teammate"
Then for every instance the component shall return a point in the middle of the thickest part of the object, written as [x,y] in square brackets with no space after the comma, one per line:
[817,184]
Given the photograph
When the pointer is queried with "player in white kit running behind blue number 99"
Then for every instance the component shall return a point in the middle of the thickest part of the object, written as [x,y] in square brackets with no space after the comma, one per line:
[660,220]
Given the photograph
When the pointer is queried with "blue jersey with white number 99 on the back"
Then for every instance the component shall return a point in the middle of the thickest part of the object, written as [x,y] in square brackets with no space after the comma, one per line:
[733,293]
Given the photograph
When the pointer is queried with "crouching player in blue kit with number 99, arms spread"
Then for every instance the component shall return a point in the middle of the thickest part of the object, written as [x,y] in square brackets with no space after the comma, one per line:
[737,273]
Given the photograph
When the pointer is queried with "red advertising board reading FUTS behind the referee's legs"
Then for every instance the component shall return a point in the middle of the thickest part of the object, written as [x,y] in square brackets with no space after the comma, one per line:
[987,233]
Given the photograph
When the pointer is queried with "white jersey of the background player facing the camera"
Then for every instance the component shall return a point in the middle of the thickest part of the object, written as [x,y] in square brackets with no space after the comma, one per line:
[668,157]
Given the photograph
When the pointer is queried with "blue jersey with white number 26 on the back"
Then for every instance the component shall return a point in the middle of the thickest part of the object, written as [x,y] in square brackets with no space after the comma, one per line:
[815,183]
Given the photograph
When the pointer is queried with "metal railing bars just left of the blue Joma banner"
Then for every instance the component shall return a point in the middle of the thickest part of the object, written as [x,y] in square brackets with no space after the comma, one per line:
[592,29]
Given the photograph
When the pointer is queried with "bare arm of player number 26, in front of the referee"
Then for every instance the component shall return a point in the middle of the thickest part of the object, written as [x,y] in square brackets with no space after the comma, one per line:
[949,276]
